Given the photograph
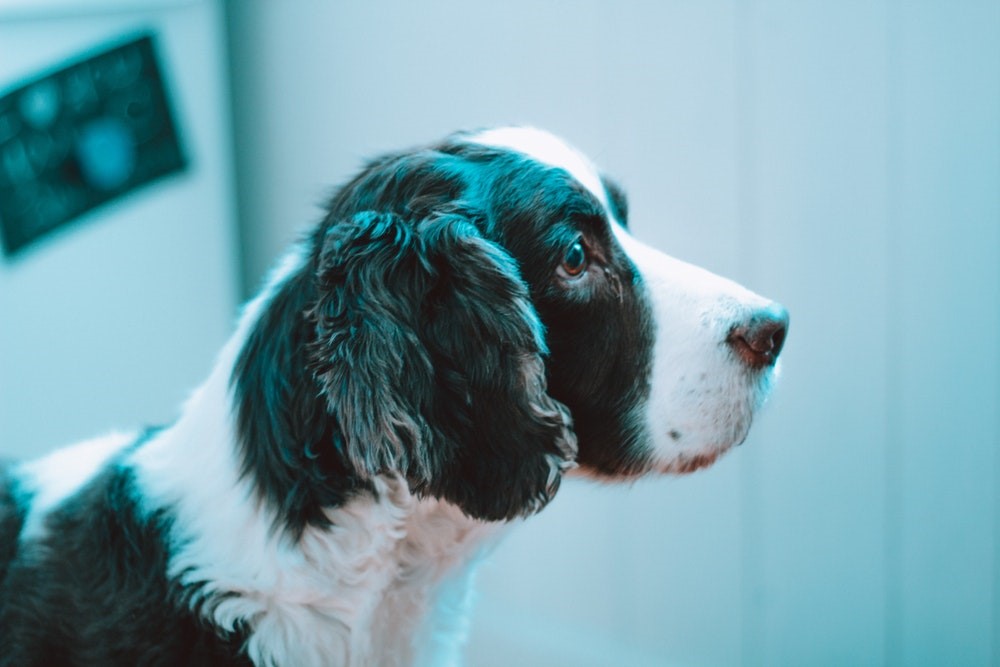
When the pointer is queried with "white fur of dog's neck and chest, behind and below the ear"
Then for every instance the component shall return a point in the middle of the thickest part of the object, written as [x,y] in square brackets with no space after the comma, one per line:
[391,570]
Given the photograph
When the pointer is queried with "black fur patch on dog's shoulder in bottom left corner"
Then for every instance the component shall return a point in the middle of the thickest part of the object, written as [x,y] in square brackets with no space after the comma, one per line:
[93,590]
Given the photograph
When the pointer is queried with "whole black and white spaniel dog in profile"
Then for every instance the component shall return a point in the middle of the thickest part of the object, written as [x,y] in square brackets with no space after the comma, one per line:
[469,321]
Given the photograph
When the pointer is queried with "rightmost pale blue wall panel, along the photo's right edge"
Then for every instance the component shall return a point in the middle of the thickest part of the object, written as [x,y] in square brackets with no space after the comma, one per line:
[946,291]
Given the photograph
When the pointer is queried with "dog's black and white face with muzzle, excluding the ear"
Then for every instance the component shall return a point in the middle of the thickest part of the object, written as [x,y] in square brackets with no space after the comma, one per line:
[661,364]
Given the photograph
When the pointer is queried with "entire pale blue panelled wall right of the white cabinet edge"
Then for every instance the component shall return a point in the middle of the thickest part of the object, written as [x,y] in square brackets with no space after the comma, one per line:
[842,157]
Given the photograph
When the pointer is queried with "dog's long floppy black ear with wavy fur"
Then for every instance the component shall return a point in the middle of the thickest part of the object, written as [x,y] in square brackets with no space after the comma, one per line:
[430,355]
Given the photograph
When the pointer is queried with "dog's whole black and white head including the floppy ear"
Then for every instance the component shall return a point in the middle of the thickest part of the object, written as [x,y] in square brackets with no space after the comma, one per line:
[473,316]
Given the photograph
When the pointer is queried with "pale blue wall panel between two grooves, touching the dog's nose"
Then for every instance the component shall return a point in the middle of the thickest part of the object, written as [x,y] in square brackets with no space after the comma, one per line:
[815,216]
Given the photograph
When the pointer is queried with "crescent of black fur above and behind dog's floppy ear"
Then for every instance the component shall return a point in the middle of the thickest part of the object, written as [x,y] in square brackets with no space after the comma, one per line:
[291,447]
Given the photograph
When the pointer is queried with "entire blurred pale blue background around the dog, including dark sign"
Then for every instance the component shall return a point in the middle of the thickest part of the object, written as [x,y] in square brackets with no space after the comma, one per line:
[840,157]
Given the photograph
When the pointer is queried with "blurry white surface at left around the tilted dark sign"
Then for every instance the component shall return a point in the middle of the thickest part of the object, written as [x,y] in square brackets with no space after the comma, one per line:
[112,321]
